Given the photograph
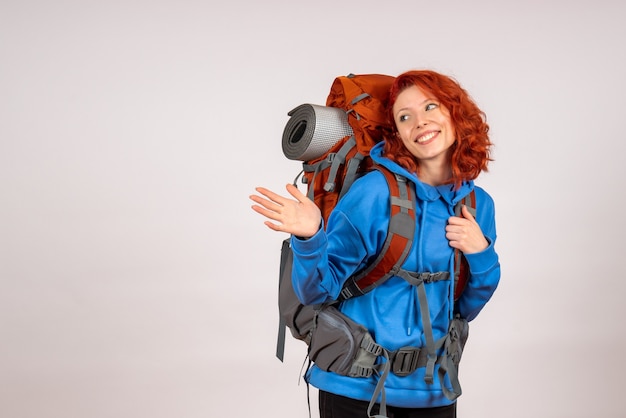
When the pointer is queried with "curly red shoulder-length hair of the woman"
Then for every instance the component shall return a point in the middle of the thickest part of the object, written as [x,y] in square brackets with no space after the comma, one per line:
[470,152]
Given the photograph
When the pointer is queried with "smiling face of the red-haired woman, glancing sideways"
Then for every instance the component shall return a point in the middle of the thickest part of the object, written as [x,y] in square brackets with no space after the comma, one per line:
[424,126]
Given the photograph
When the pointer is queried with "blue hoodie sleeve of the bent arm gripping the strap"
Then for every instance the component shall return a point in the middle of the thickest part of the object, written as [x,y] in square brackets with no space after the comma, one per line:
[484,266]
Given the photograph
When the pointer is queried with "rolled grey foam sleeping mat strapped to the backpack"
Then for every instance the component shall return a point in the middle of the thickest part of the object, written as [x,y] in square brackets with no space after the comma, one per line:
[312,130]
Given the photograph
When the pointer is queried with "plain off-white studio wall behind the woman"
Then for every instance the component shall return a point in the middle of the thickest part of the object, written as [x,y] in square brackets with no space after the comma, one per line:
[135,280]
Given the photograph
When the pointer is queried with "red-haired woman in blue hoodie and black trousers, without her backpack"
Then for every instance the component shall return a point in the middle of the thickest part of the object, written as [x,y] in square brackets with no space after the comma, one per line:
[440,143]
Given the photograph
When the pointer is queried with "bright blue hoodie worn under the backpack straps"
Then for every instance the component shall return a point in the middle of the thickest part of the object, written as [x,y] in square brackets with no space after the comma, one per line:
[355,232]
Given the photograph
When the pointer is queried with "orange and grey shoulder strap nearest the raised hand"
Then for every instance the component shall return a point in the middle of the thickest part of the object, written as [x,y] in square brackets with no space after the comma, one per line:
[397,243]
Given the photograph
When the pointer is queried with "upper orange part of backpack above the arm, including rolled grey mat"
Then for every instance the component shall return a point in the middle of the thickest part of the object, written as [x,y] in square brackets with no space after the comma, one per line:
[356,105]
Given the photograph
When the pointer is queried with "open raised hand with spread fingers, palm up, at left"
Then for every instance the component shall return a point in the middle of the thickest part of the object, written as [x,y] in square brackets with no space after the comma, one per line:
[299,216]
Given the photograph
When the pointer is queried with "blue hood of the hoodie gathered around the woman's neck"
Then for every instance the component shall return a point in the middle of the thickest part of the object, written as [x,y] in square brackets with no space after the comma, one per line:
[424,191]
